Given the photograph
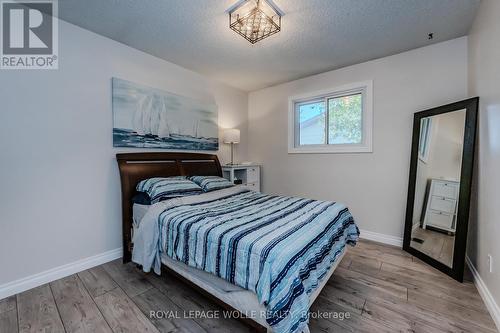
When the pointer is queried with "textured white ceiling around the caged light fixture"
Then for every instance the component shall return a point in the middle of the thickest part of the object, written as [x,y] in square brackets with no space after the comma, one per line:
[316,36]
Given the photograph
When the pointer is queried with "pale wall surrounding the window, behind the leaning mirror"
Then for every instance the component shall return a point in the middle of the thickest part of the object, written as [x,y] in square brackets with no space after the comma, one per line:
[373,185]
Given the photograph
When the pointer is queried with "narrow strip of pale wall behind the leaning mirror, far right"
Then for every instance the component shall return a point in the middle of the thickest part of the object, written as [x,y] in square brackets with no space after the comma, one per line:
[484,81]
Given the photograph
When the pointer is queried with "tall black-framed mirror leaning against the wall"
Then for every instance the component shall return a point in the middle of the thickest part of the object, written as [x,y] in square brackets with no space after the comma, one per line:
[439,190]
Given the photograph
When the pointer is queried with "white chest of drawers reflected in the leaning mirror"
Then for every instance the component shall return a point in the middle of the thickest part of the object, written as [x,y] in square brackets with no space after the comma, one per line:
[442,203]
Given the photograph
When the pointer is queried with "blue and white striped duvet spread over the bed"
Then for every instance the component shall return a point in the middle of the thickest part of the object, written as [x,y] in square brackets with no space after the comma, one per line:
[278,247]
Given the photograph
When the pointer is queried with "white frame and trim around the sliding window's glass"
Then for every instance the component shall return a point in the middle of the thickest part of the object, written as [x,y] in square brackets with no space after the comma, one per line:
[366,146]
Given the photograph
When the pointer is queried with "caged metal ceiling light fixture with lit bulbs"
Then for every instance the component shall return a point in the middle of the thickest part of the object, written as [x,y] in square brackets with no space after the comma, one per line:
[255,20]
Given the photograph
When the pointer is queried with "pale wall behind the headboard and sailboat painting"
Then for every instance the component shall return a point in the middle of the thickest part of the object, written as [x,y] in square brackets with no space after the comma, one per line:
[60,198]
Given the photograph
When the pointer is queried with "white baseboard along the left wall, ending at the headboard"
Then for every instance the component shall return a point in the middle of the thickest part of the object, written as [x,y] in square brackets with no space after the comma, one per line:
[18,286]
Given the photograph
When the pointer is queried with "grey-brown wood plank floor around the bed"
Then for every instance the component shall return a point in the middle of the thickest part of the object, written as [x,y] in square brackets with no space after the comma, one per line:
[382,288]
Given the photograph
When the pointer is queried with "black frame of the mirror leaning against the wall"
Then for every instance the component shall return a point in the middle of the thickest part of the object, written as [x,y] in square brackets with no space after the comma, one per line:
[471,106]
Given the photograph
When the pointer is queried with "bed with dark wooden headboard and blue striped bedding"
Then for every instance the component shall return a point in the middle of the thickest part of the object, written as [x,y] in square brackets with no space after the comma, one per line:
[272,293]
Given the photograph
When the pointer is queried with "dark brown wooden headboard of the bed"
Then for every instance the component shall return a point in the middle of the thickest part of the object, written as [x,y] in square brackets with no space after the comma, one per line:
[135,167]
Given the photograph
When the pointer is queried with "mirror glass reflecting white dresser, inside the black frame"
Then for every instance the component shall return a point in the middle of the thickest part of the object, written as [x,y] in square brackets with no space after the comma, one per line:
[437,185]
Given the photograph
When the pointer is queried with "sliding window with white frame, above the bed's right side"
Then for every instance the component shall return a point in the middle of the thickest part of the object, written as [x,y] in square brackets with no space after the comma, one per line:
[335,121]
